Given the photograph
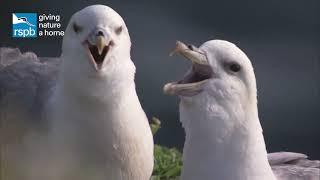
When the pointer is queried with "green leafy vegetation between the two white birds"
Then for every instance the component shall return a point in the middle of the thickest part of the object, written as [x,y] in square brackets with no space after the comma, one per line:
[168,161]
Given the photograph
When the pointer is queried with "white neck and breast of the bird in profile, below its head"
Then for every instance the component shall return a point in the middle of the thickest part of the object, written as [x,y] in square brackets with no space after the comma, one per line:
[220,146]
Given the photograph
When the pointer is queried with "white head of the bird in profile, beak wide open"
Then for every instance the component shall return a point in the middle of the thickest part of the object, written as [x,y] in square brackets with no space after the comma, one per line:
[220,71]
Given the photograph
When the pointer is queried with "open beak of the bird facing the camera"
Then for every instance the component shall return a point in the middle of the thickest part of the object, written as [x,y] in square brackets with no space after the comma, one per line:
[97,52]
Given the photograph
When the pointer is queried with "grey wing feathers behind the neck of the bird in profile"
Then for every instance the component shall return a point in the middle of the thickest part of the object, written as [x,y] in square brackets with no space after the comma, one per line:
[294,166]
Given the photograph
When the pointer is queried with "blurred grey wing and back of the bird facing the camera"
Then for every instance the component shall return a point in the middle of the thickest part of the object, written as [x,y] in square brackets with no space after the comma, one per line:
[25,83]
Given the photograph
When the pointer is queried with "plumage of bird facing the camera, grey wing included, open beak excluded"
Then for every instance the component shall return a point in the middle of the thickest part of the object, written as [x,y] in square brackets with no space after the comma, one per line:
[95,126]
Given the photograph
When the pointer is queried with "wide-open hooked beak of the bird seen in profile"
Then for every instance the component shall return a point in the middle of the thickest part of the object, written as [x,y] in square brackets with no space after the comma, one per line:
[196,77]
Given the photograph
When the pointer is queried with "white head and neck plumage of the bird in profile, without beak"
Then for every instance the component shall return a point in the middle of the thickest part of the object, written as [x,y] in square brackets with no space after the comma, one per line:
[223,135]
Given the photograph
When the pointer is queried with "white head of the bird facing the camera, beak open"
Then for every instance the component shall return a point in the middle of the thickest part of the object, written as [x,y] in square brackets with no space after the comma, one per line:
[97,36]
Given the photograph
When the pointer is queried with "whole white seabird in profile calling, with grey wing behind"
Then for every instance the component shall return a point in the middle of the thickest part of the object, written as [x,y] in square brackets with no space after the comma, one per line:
[218,110]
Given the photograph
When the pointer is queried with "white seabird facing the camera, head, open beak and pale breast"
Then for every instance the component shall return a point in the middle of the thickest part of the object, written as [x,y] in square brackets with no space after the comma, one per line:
[97,127]
